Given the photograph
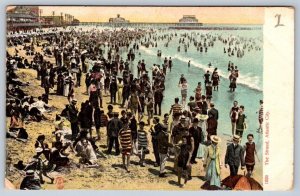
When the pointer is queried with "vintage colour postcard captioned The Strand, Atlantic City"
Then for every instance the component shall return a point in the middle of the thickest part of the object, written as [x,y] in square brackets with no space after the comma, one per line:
[149,98]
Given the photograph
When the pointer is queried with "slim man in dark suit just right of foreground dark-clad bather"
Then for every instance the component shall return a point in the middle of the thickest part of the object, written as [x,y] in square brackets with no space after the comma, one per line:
[196,133]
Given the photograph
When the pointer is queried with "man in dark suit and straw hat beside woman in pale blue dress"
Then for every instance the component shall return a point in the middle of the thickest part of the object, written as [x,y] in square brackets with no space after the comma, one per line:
[234,156]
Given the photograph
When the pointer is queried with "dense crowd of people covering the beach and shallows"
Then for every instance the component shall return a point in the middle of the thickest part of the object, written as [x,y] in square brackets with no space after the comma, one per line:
[188,132]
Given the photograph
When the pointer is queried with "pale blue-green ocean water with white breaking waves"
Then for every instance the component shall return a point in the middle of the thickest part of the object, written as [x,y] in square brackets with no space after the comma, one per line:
[249,84]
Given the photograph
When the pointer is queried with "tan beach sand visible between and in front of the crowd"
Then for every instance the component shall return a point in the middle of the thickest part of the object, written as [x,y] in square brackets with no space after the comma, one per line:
[110,175]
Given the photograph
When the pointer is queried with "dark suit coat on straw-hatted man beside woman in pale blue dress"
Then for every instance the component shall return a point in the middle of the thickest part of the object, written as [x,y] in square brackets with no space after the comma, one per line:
[235,155]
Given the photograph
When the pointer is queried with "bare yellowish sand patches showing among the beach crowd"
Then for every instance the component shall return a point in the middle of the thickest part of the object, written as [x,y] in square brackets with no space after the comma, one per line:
[85,179]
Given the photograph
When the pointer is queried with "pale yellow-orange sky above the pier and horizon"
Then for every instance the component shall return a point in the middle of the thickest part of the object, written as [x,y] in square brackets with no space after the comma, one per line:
[211,15]
